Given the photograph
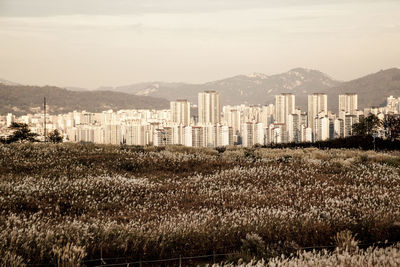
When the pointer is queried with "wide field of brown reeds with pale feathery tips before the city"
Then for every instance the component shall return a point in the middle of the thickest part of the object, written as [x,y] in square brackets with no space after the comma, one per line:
[73,203]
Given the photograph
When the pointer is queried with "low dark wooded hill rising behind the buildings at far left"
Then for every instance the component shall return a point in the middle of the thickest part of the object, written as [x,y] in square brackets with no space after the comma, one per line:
[24,99]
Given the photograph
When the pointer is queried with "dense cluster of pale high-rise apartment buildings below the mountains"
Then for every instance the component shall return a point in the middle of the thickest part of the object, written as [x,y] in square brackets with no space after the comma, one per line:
[213,126]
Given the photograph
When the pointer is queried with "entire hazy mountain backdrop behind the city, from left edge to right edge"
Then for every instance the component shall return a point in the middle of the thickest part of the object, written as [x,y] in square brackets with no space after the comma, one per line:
[256,88]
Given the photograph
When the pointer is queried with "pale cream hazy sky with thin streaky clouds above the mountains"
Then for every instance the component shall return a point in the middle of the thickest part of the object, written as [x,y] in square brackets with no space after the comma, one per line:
[91,43]
